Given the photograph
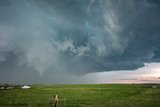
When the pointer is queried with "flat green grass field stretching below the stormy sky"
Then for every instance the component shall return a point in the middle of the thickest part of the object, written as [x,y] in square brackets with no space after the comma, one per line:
[100,95]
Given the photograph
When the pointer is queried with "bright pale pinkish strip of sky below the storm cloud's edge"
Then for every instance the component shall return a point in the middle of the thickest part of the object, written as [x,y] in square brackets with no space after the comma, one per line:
[150,73]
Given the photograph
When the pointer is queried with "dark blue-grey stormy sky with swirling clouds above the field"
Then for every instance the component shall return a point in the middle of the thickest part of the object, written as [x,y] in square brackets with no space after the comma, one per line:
[64,41]
